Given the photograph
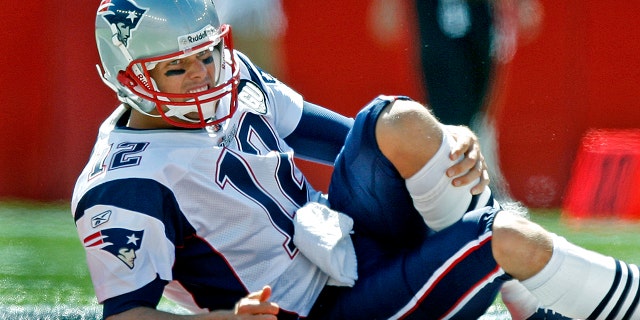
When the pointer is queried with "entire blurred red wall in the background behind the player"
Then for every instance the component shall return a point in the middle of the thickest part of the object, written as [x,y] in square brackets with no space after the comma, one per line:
[581,71]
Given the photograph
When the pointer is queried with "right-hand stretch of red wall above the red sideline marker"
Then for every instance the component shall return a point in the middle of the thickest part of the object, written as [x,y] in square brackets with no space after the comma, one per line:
[581,72]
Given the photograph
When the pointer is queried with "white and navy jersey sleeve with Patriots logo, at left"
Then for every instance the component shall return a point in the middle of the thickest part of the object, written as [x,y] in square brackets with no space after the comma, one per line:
[127,241]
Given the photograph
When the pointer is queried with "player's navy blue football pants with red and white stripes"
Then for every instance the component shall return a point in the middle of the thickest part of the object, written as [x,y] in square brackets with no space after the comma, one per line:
[405,270]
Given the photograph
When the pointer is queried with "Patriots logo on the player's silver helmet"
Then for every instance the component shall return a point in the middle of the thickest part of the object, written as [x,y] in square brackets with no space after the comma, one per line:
[123,16]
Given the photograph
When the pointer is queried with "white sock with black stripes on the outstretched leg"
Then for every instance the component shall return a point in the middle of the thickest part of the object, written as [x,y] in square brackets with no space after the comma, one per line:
[582,284]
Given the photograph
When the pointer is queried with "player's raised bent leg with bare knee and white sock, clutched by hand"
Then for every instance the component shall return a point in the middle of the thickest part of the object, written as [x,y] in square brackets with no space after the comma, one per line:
[419,148]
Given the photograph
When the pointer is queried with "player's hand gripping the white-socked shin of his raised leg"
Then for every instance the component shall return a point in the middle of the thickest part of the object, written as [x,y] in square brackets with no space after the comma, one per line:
[473,165]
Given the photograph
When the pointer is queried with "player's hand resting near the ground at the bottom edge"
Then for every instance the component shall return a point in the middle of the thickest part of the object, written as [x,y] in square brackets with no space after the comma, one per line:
[257,306]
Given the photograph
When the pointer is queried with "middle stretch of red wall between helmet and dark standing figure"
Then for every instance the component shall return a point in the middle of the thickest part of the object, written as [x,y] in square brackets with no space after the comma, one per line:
[342,54]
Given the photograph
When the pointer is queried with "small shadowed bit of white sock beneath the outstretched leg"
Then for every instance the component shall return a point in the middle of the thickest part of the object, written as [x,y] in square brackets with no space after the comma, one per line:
[518,300]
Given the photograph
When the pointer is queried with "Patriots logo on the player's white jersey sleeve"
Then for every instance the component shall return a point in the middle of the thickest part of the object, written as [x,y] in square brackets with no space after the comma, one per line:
[122,243]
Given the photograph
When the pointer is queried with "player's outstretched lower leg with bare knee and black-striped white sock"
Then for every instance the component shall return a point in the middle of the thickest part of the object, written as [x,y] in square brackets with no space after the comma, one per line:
[562,276]
